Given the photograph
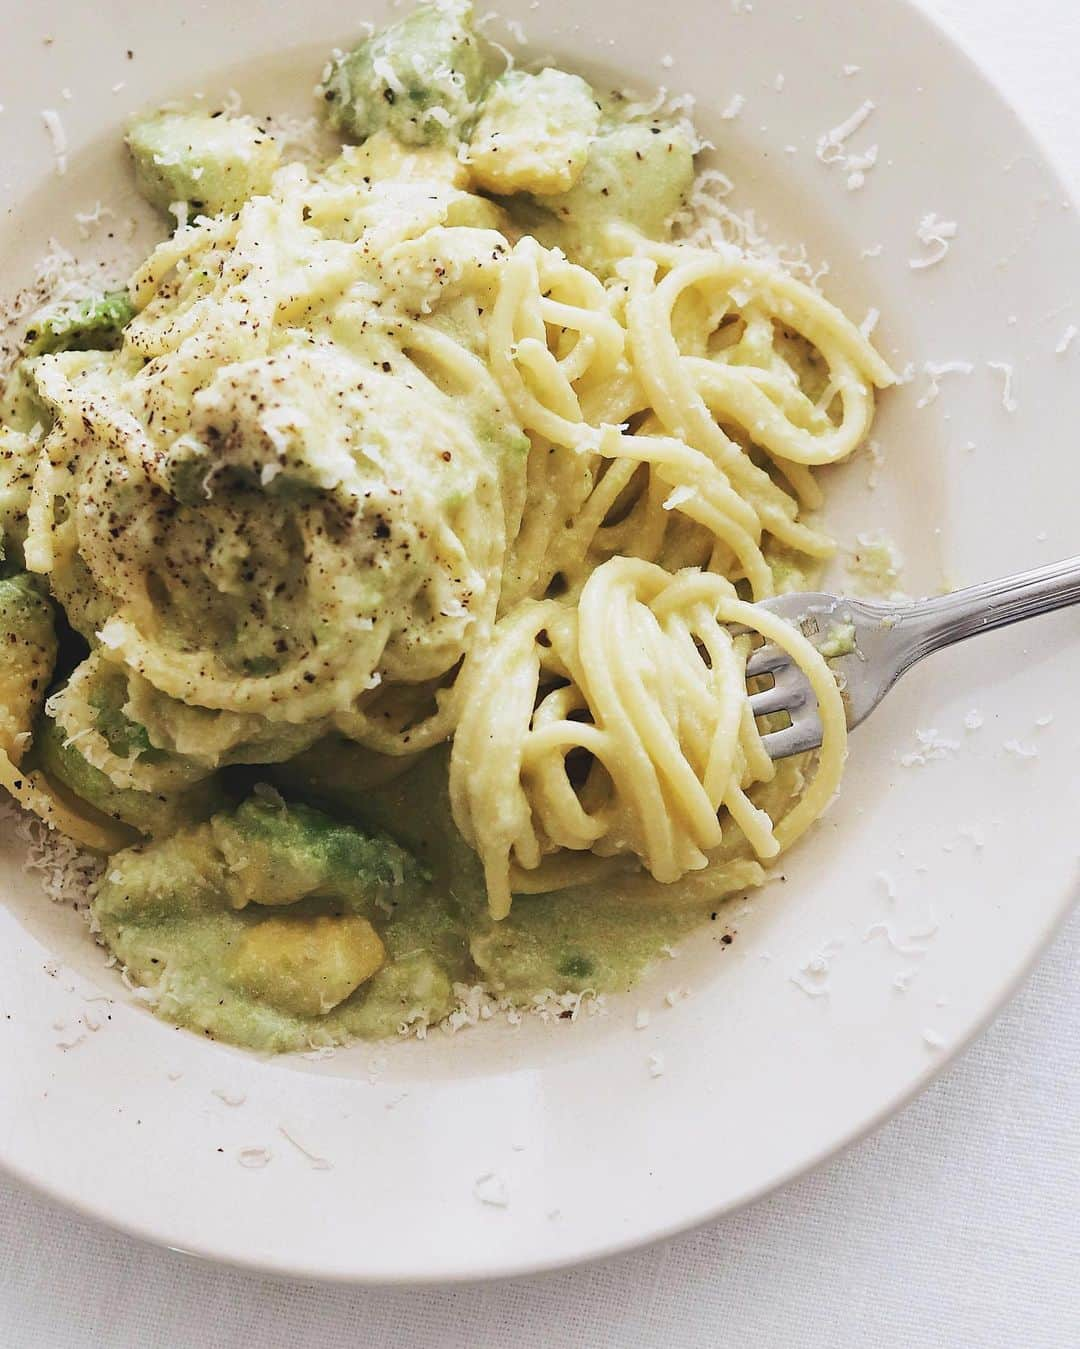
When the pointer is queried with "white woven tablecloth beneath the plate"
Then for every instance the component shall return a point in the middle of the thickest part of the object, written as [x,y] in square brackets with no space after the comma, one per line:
[958,1226]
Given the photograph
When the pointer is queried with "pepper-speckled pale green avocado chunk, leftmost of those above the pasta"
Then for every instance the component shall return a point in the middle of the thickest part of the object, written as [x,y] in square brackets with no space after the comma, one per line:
[215,164]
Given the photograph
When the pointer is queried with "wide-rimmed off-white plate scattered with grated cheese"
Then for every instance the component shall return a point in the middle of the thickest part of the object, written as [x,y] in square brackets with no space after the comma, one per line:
[761,1080]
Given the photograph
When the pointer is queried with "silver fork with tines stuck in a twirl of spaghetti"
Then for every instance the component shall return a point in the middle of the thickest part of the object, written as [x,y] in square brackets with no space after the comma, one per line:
[889,639]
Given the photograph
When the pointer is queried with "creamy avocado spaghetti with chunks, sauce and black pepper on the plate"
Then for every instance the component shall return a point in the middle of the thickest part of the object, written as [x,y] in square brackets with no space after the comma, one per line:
[381,565]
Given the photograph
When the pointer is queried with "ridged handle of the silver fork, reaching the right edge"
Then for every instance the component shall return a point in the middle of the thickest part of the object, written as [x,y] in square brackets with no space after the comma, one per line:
[931,624]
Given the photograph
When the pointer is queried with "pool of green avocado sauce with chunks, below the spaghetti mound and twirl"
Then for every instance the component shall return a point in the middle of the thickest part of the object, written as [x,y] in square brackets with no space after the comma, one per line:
[281,927]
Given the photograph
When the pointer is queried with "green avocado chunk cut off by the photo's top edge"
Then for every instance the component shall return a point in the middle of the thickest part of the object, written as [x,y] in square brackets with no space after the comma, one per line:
[419,79]
